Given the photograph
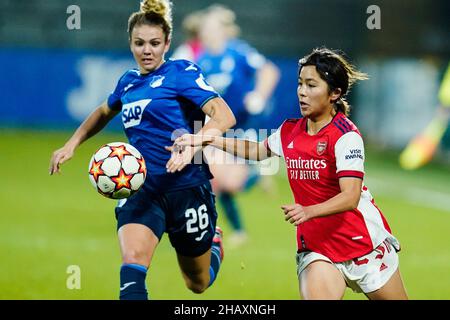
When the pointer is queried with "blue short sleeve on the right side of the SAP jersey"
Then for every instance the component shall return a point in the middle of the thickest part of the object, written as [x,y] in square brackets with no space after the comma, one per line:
[191,84]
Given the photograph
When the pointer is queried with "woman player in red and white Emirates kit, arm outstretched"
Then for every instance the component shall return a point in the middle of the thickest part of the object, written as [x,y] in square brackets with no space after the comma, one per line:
[343,238]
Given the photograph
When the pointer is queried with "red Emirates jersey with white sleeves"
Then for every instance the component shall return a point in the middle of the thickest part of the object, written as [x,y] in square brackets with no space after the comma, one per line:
[314,165]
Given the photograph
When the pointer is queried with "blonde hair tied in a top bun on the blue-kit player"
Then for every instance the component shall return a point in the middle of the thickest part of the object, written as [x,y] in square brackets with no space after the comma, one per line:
[153,13]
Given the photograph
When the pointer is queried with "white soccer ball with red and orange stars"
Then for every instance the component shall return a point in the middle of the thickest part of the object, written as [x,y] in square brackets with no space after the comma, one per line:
[117,170]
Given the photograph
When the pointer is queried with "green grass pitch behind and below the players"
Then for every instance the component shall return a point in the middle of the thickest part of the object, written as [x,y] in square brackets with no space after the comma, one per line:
[50,223]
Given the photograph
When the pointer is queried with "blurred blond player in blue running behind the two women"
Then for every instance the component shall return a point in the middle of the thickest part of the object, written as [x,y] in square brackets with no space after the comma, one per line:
[246,81]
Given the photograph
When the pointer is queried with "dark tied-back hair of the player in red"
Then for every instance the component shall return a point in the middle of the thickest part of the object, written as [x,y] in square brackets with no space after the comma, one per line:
[336,71]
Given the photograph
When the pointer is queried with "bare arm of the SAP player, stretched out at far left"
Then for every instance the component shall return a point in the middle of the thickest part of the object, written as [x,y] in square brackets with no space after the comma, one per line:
[95,122]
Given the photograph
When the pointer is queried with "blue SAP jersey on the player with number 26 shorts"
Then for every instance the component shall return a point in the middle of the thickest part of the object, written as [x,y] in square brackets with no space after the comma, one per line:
[156,107]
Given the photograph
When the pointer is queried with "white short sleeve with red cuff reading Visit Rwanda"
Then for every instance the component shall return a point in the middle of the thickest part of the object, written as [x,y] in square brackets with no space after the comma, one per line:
[349,151]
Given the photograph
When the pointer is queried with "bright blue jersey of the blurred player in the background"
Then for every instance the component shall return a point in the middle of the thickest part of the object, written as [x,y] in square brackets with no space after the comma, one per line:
[232,74]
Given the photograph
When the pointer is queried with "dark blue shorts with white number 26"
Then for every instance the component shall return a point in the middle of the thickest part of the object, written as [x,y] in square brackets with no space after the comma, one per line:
[188,216]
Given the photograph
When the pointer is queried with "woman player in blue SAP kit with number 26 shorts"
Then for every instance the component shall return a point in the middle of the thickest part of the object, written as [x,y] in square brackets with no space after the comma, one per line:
[156,100]
